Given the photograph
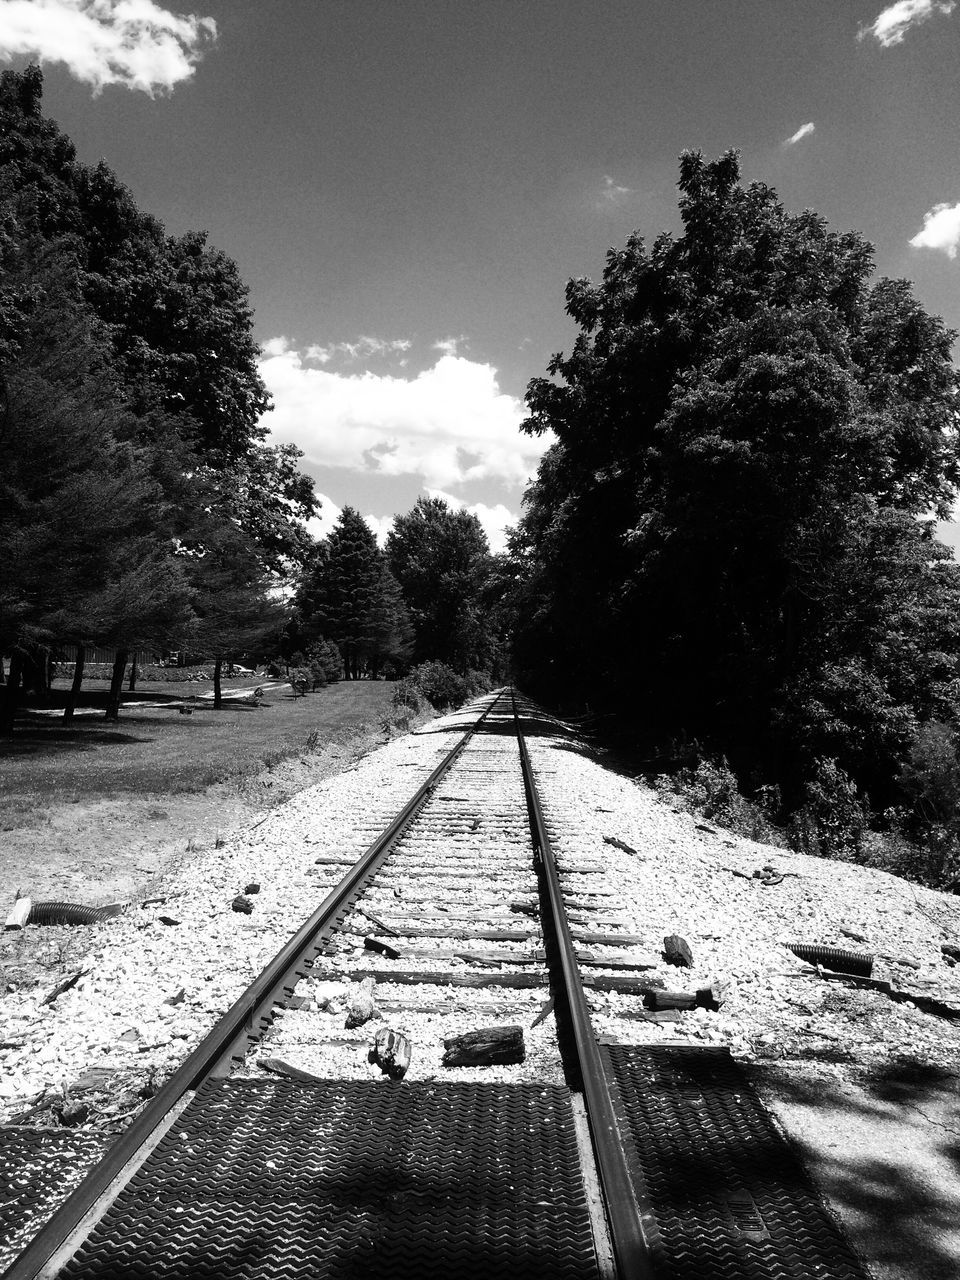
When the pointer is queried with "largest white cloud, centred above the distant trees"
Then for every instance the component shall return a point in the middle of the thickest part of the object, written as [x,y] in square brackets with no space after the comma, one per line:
[447,426]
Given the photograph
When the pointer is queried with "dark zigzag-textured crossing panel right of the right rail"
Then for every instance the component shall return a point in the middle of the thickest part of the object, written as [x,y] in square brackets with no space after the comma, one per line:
[728,1196]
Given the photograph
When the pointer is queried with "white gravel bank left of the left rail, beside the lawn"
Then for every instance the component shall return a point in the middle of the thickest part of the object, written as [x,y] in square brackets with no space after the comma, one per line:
[156,980]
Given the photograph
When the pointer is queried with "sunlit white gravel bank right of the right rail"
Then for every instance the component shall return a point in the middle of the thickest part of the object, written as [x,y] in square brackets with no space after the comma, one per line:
[683,881]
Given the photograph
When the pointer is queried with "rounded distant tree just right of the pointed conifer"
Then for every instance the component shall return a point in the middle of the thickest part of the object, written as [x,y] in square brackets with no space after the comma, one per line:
[442,561]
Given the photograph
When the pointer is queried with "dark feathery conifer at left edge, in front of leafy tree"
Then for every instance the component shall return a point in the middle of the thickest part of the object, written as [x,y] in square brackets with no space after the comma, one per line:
[88,548]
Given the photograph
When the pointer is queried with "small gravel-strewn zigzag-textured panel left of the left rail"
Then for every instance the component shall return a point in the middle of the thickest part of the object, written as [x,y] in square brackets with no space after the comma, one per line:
[39,1168]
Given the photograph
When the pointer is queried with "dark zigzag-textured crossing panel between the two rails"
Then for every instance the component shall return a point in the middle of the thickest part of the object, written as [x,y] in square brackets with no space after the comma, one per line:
[262,1180]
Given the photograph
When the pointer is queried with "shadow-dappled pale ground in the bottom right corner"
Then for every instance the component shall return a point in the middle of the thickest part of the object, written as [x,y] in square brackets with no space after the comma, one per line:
[885,1151]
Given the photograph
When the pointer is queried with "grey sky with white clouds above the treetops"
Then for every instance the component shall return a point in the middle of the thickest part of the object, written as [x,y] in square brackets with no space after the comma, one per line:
[408,185]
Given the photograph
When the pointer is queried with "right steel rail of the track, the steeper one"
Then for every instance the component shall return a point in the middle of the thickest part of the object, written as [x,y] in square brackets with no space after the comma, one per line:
[624,1214]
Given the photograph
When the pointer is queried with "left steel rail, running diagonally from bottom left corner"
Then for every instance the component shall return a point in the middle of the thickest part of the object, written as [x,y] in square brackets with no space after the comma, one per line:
[232,1027]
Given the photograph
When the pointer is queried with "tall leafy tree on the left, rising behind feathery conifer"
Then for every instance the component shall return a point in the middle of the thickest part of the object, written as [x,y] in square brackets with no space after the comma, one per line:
[177,318]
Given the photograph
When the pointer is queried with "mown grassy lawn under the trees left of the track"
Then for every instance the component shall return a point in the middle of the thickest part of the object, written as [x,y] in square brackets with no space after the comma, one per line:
[156,749]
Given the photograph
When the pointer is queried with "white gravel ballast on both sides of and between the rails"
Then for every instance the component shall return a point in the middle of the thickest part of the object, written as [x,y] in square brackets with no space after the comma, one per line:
[152,990]
